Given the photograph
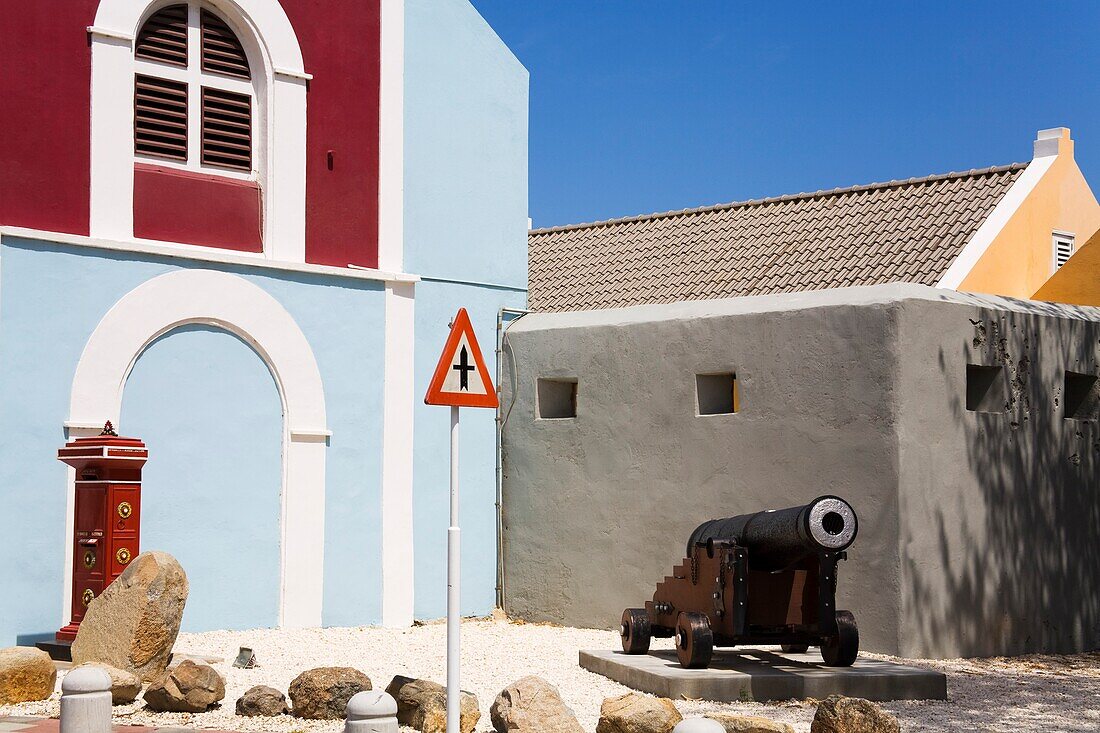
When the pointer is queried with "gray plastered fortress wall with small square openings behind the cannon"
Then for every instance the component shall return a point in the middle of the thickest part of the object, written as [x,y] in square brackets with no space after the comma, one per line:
[980,531]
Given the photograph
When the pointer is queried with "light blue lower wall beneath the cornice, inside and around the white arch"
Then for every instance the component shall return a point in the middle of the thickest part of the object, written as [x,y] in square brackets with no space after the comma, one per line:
[202,401]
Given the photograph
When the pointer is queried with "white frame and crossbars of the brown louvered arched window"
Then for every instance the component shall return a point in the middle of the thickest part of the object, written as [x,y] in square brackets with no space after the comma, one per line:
[196,79]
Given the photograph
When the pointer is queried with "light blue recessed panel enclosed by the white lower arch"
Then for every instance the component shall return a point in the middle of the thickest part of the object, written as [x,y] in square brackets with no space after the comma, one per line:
[211,411]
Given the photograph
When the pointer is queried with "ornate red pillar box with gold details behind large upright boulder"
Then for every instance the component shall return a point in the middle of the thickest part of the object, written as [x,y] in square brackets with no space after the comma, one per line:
[108,515]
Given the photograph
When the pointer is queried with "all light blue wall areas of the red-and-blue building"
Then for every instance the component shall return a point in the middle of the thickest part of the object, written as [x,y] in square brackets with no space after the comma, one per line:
[210,410]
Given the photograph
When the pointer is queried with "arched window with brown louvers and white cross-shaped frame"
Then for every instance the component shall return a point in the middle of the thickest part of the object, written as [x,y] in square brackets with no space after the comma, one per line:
[195,103]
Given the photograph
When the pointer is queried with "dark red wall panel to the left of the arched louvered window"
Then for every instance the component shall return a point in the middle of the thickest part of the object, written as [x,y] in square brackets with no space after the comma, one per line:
[46,71]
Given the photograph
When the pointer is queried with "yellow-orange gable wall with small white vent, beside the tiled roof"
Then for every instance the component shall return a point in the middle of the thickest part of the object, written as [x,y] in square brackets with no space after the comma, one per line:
[1020,260]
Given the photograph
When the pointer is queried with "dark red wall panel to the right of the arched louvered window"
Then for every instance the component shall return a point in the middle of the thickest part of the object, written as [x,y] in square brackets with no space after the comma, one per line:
[340,47]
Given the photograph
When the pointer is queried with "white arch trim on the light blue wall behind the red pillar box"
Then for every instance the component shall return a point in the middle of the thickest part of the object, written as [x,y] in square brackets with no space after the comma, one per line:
[234,304]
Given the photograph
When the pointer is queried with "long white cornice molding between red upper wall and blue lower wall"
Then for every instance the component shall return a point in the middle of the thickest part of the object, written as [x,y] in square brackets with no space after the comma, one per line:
[194,253]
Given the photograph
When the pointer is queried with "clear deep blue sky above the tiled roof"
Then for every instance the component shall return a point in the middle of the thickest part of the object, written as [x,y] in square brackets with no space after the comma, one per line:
[641,106]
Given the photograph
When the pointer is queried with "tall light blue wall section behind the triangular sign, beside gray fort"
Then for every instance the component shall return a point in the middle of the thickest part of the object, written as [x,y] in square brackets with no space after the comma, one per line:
[466,222]
